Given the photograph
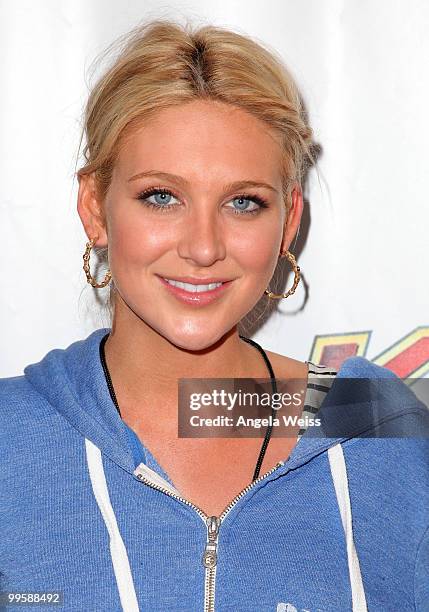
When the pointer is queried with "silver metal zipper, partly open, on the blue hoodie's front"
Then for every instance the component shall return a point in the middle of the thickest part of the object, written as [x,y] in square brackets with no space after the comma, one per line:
[212,523]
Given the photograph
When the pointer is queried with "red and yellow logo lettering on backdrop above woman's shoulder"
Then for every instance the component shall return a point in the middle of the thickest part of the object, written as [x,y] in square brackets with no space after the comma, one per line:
[408,357]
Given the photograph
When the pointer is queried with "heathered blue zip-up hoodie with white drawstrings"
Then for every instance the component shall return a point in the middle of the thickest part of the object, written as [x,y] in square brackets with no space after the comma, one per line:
[341,525]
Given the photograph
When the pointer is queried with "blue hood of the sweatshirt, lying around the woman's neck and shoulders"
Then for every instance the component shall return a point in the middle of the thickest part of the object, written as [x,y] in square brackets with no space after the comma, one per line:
[73,382]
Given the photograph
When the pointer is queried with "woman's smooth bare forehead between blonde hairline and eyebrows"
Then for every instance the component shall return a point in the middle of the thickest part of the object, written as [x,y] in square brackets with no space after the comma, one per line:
[201,138]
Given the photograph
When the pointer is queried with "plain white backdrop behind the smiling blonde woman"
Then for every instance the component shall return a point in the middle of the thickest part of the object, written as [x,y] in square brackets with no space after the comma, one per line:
[362,66]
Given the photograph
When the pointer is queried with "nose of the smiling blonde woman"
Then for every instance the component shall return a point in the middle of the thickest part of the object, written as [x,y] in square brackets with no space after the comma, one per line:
[201,237]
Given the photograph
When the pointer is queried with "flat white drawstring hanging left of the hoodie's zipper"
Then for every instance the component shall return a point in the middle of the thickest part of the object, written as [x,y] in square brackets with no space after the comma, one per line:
[118,552]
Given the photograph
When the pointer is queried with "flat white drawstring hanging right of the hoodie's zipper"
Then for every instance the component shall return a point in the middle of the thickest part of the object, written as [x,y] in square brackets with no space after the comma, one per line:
[339,476]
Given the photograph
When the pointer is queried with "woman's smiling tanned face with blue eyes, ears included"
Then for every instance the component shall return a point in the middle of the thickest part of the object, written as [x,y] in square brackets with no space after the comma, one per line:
[195,192]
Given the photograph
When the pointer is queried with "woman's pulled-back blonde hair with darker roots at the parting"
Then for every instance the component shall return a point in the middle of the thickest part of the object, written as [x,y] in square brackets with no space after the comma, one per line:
[163,63]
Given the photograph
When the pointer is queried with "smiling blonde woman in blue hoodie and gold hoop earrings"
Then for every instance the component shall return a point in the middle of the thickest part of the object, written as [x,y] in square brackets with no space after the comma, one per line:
[196,148]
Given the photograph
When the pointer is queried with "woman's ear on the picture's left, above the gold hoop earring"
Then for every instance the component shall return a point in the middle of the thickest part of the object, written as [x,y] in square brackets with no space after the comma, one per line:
[91,210]
